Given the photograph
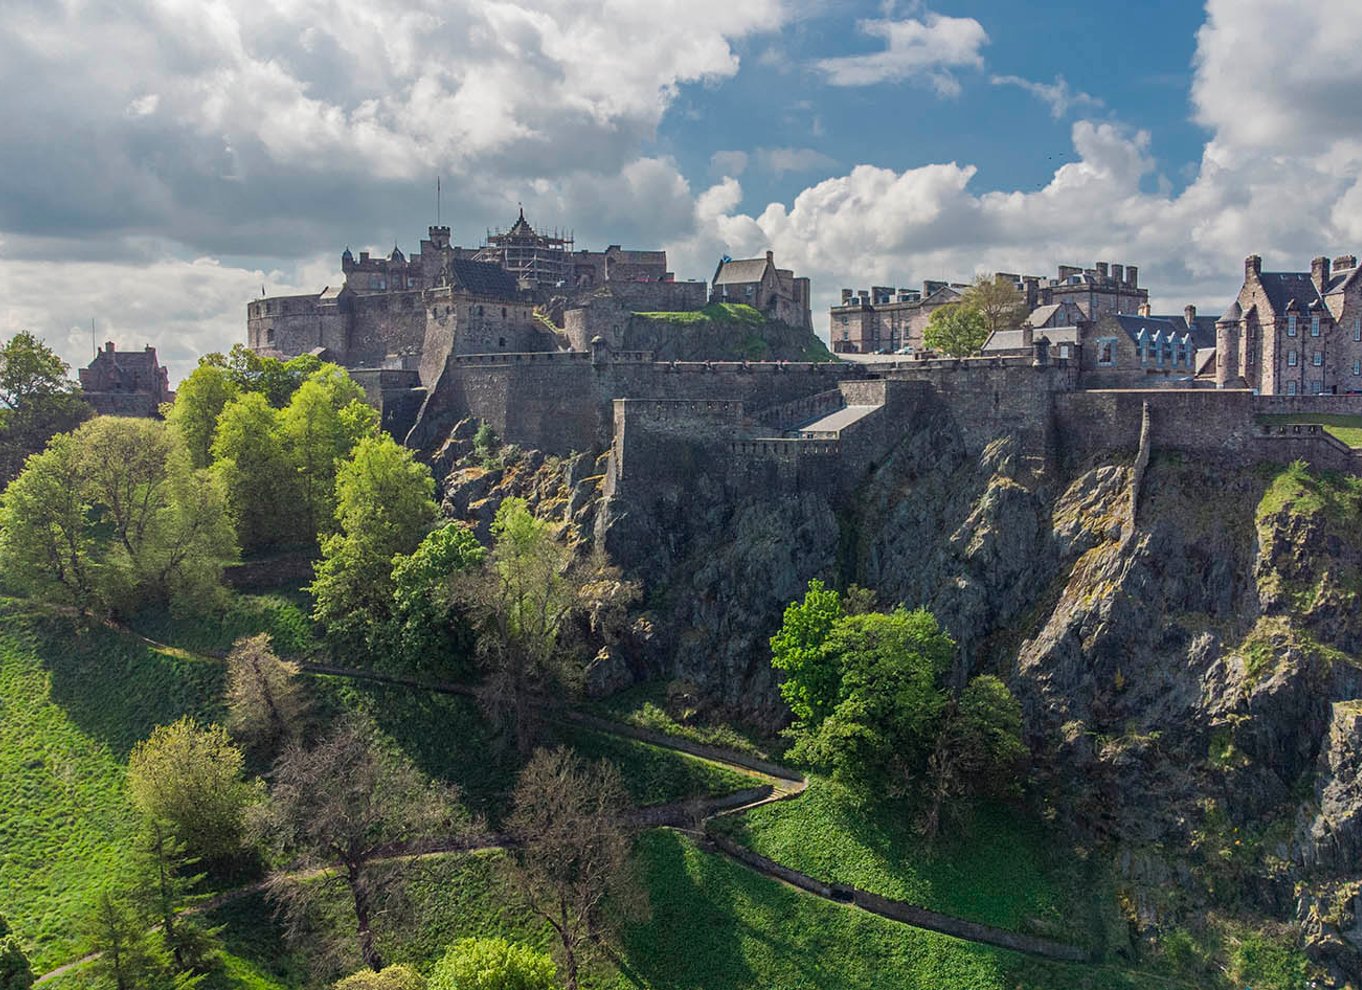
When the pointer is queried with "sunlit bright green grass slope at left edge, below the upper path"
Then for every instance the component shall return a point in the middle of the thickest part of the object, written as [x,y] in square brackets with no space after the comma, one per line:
[73,703]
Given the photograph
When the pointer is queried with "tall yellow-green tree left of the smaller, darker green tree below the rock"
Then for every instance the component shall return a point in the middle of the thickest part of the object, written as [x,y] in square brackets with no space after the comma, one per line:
[385,509]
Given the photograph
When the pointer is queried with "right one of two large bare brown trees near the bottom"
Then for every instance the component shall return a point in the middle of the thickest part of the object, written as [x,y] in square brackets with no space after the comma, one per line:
[573,850]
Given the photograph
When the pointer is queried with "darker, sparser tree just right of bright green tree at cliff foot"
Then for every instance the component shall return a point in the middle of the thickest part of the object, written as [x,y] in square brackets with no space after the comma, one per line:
[979,748]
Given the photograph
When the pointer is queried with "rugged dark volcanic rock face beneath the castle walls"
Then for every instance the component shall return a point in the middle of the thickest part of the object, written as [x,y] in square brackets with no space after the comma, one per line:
[1190,673]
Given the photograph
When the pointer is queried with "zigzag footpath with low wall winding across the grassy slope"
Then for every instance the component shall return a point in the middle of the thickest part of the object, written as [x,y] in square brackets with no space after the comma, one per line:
[774,782]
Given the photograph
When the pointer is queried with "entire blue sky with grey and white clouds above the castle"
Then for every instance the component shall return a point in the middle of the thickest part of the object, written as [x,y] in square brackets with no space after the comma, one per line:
[165,160]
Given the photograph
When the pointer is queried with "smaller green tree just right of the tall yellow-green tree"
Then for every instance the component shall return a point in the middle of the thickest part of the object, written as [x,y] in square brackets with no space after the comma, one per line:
[428,620]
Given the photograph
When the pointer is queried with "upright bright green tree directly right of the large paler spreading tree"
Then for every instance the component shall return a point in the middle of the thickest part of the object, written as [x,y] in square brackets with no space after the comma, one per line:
[258,476]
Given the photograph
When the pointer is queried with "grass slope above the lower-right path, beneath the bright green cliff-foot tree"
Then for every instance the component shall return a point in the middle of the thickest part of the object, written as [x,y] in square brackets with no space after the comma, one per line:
[1006,871]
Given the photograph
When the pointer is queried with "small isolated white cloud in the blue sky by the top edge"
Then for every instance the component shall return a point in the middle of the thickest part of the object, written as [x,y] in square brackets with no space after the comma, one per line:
[923,50]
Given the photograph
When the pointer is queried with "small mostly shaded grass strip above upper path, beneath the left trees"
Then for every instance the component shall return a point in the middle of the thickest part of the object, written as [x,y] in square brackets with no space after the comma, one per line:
[285,615]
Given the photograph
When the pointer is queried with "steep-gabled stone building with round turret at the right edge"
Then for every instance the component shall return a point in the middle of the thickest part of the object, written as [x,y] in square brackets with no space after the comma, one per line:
[1295,333]
